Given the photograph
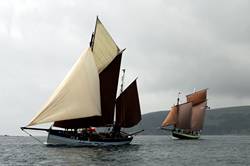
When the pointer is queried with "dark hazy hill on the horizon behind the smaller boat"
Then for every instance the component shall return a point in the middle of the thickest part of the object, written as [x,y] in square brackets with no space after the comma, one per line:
[231,120]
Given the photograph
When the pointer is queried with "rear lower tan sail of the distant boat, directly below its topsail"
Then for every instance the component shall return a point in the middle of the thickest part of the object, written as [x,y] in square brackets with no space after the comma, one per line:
[198,115]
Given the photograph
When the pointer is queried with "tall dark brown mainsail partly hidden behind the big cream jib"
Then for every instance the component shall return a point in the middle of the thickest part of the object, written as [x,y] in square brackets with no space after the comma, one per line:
[108,87]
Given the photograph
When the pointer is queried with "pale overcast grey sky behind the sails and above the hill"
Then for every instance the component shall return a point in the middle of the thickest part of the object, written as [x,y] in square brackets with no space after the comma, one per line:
[171,46]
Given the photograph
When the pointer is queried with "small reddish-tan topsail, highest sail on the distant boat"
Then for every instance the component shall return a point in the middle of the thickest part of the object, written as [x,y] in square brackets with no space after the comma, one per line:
[197,97]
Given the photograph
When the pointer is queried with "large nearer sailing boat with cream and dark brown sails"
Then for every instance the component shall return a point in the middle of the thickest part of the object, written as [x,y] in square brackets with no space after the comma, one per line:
[86,99]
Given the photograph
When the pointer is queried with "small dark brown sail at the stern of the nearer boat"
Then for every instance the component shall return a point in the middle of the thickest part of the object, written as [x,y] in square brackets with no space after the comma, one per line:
[128,112]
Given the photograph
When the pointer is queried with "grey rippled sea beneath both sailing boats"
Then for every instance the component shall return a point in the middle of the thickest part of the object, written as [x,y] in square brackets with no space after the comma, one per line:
[215,150]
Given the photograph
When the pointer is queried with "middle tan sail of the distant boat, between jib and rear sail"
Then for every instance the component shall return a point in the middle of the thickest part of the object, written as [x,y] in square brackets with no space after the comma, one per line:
[184,112]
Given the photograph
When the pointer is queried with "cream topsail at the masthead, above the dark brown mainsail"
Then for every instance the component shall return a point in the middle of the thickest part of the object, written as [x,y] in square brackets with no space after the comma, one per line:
[104,47]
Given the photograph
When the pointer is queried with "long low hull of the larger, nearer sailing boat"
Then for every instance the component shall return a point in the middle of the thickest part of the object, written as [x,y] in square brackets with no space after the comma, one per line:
[57,140]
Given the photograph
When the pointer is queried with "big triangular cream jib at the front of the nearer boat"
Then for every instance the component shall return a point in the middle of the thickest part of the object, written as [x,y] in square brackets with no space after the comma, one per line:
[77,96]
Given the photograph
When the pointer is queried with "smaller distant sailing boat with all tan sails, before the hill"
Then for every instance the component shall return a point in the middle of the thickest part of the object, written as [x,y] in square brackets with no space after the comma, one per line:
[187,118]
